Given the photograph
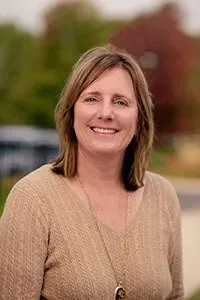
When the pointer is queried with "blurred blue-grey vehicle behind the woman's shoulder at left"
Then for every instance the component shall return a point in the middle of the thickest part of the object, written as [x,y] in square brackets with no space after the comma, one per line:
[24,148]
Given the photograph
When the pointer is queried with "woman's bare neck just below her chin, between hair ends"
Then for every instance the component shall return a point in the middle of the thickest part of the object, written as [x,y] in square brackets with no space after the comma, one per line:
[101,171]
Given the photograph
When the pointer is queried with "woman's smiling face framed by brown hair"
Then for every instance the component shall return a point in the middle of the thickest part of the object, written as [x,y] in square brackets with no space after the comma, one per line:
[106,113]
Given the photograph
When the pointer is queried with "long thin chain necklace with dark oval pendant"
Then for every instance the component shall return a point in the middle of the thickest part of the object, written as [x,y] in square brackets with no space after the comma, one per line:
[119,292]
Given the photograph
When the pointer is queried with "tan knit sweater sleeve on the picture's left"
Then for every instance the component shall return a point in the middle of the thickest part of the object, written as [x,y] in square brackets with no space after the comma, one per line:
[23,245]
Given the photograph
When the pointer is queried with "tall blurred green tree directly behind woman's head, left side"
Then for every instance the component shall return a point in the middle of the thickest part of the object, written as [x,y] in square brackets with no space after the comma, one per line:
[70,30]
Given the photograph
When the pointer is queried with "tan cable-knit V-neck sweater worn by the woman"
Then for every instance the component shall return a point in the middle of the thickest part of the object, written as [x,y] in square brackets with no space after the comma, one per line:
[50,248]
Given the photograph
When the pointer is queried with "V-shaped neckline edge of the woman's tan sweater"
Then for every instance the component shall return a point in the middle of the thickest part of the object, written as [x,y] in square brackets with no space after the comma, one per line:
[106,227]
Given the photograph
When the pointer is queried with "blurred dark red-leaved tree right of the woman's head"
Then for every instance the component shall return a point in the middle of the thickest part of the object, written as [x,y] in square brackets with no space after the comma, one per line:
[166,55]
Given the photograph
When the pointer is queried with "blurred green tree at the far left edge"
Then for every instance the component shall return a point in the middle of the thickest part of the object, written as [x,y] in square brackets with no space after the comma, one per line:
[17,54]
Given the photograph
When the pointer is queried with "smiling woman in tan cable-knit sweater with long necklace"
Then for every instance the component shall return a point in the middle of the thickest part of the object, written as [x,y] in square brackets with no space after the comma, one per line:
[95,224]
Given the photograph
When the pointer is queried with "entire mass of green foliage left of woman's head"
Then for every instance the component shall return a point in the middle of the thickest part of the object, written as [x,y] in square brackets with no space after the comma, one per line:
[33,69]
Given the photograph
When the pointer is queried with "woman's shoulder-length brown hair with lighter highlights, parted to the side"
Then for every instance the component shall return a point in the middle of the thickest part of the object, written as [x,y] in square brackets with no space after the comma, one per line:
[87,69]
